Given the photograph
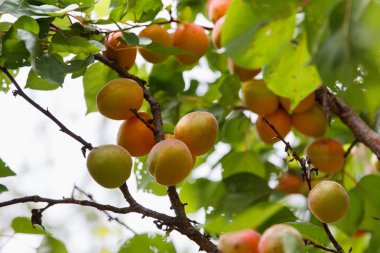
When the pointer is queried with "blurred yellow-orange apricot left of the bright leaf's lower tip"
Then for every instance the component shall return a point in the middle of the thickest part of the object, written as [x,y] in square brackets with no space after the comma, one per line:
[258,98]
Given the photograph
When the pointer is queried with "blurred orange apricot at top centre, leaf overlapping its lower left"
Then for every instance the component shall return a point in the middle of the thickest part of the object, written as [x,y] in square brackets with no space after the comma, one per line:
[193,39]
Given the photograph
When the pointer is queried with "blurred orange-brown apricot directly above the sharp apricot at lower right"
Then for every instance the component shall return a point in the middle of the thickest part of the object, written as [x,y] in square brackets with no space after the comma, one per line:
[326,154]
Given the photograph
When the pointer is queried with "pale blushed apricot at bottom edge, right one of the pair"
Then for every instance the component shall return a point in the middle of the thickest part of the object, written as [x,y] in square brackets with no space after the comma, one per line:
[275,237]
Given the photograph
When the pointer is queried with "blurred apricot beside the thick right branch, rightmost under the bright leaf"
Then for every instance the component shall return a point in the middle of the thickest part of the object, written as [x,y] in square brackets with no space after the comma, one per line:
[312,122]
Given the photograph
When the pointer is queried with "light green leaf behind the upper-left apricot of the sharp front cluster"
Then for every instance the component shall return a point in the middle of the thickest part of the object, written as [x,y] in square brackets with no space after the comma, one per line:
[96,76]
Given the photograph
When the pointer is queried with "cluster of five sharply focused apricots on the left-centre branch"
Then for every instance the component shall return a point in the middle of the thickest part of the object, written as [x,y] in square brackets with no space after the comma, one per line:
[169,161]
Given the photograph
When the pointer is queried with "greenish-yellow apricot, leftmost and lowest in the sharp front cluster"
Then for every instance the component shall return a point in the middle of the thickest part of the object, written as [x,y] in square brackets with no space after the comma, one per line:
[109,165]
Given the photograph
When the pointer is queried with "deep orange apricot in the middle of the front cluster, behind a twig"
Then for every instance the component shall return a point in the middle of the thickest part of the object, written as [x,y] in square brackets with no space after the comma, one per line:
[135,136]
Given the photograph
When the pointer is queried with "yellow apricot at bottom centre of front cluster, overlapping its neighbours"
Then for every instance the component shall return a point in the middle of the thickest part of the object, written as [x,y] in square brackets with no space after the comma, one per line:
[170,162]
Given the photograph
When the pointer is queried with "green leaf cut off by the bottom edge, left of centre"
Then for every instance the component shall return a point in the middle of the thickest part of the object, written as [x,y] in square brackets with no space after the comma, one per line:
[147,243]
